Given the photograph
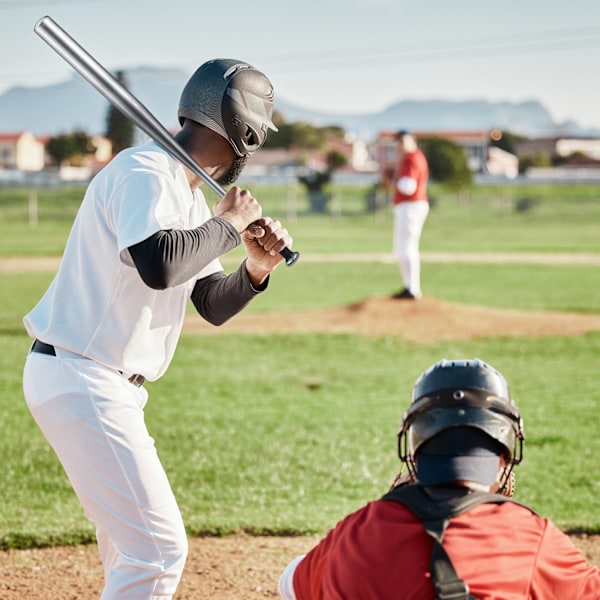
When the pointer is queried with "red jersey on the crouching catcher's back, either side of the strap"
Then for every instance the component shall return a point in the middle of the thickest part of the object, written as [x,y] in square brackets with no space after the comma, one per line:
[503,552]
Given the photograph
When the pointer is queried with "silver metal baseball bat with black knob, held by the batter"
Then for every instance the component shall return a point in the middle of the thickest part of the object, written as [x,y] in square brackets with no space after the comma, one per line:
[122,99]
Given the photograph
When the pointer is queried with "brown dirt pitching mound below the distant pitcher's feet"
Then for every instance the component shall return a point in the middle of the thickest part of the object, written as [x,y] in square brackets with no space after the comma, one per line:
[426,320]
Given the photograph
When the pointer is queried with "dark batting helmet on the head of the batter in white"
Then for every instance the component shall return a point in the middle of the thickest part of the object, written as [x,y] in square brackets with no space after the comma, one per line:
[232,98]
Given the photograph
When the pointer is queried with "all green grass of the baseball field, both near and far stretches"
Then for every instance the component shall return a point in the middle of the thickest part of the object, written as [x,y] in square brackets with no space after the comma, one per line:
[285,434]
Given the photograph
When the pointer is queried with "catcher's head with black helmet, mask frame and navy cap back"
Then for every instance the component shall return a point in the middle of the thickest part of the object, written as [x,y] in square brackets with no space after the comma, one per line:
[460,421]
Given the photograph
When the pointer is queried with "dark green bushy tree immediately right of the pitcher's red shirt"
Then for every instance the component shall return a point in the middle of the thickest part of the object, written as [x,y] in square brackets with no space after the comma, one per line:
[447,162]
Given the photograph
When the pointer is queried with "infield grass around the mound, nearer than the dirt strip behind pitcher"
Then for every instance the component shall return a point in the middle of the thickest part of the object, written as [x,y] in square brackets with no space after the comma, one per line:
[287,433]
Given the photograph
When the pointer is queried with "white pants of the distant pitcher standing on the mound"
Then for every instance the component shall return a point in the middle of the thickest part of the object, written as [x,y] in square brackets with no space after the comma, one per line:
[409,218]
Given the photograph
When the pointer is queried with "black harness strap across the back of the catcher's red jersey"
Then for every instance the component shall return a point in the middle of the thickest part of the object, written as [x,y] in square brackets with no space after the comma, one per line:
[436,514]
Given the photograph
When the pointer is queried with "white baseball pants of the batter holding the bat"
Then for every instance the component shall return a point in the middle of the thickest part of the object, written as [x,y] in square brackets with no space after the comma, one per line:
[93,418]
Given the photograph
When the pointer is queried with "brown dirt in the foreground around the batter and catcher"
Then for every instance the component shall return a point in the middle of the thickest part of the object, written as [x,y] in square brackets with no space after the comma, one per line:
[221,568]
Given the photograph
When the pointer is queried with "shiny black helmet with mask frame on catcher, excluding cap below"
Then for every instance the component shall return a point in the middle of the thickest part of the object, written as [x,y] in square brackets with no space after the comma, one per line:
[456,394]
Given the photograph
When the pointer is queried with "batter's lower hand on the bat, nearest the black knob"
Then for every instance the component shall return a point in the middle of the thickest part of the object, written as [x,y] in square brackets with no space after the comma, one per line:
[264,240]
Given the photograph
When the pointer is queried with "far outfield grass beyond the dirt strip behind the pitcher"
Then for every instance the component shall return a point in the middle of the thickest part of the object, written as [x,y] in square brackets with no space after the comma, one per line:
[557,219]
